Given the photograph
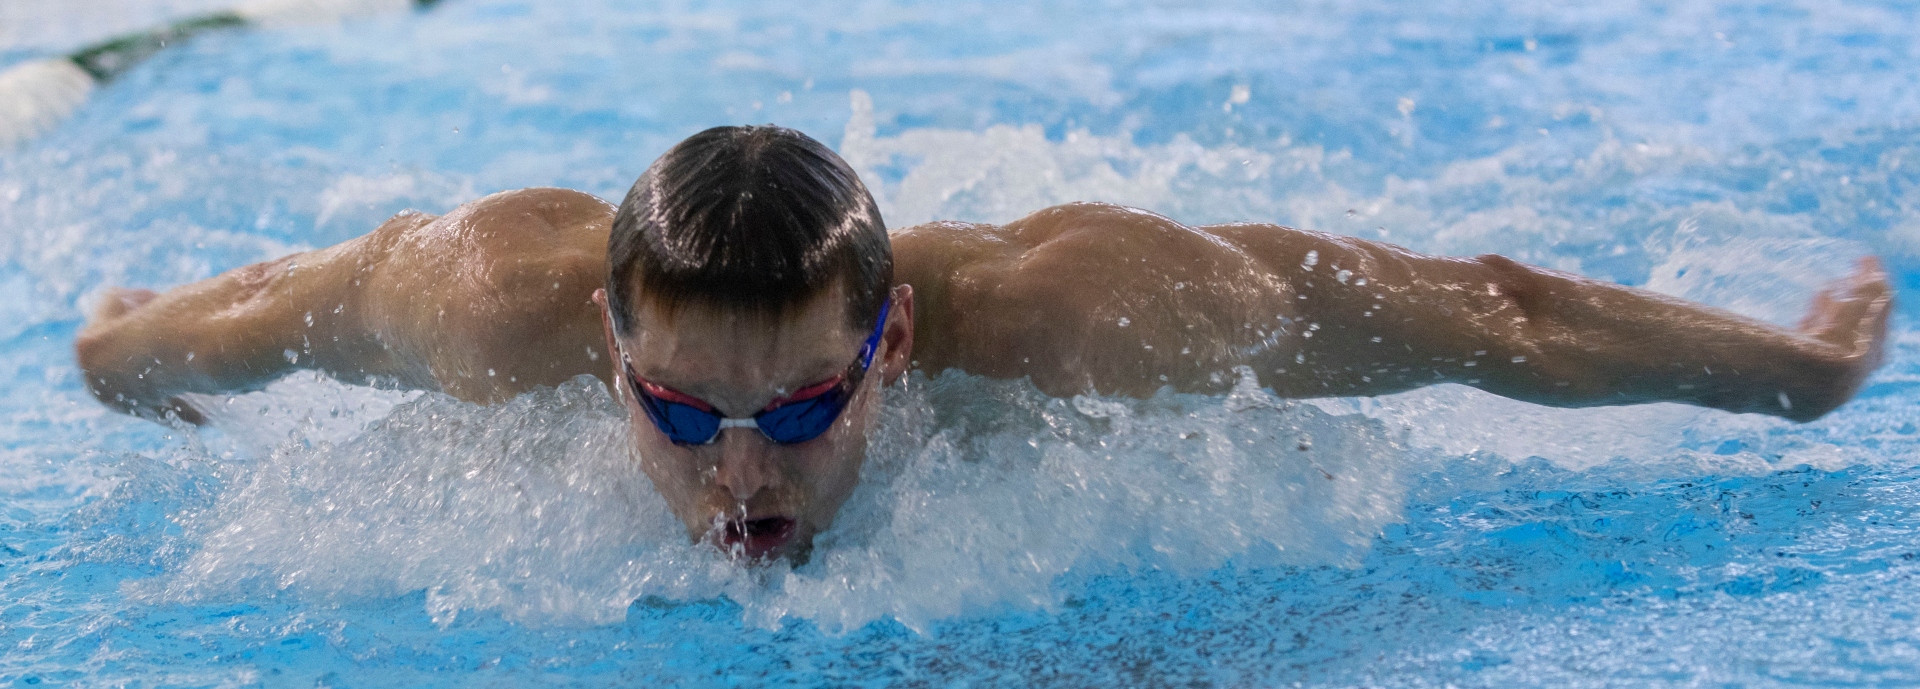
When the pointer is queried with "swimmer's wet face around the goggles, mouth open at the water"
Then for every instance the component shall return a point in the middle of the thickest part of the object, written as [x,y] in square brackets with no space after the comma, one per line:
[744,492]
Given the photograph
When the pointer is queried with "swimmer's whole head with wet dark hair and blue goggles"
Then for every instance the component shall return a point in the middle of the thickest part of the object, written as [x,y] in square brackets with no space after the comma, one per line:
[746,275]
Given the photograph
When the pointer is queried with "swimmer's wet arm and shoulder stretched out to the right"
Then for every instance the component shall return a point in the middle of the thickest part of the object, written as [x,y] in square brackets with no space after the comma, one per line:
[1095,297]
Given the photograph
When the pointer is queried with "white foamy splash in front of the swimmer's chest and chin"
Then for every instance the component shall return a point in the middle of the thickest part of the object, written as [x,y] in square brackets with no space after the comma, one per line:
[978,494]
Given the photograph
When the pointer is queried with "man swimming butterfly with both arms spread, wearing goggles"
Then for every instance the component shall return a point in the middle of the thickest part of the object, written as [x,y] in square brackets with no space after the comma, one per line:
[748,304]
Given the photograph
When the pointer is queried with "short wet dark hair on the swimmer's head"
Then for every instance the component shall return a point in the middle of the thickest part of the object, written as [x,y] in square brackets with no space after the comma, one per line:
[748,218]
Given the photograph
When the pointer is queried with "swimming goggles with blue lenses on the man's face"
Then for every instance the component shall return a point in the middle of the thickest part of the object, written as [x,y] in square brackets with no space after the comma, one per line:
[788,421]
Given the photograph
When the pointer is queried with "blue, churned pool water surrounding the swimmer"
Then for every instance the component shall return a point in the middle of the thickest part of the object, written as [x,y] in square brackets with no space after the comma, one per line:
[320,535]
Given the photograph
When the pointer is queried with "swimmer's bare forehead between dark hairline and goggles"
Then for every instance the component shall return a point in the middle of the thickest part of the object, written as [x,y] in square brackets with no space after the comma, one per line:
[708,350]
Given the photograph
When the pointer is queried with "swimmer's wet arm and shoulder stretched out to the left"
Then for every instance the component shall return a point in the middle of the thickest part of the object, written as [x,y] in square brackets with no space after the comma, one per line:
[483,304]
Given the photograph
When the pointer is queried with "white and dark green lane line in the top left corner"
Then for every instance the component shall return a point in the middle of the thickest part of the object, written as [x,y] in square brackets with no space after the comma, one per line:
[39,95]
